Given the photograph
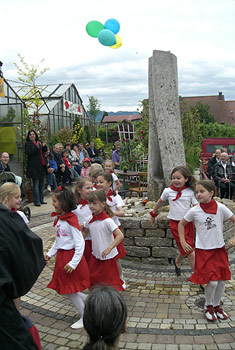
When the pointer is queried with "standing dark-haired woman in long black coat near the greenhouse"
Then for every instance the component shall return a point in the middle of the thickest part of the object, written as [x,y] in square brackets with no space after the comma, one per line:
[36,166]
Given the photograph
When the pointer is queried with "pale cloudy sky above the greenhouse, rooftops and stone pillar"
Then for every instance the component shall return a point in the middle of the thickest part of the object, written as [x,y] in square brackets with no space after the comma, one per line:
[199,32]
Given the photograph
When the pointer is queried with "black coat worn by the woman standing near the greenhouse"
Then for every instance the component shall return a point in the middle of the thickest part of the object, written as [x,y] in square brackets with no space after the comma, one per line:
[35,169]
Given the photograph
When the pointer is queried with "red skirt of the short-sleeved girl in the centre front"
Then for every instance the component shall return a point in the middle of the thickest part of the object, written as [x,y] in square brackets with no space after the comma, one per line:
[105,272]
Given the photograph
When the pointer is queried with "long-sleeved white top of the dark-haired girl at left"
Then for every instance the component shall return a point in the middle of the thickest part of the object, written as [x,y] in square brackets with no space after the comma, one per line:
[68,237]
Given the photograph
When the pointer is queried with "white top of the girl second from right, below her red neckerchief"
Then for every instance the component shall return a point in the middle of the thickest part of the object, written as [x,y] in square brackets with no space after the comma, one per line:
[179,207]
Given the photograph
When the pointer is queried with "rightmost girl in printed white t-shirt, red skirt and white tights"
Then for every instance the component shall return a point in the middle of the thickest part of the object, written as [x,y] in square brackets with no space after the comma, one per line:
[211,263]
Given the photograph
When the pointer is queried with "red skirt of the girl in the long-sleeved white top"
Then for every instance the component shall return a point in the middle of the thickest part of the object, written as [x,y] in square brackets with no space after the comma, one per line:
[67,283]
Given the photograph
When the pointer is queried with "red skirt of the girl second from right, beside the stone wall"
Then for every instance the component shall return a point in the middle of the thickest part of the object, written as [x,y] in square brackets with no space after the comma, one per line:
[188,233]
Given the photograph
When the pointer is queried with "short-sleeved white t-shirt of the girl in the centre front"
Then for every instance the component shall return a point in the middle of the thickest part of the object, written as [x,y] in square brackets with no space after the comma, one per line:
[102,237]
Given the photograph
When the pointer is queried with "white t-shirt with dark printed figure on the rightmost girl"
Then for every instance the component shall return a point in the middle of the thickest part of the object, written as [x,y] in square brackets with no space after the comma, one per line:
[209,227]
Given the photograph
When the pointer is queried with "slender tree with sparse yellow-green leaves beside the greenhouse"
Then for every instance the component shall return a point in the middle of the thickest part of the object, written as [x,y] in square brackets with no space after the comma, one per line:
[31,92]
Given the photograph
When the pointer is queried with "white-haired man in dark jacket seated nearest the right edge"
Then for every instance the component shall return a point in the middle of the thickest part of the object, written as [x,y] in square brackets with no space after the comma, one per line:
[223,177]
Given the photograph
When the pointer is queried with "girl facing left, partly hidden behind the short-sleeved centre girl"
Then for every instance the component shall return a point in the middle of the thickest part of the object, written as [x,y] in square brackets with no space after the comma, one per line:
[115,202]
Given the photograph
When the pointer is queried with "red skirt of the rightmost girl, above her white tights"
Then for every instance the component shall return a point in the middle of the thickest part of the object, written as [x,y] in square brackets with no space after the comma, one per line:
[210,265]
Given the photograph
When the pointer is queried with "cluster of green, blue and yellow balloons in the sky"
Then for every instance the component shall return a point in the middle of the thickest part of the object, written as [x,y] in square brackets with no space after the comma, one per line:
[107,33]
